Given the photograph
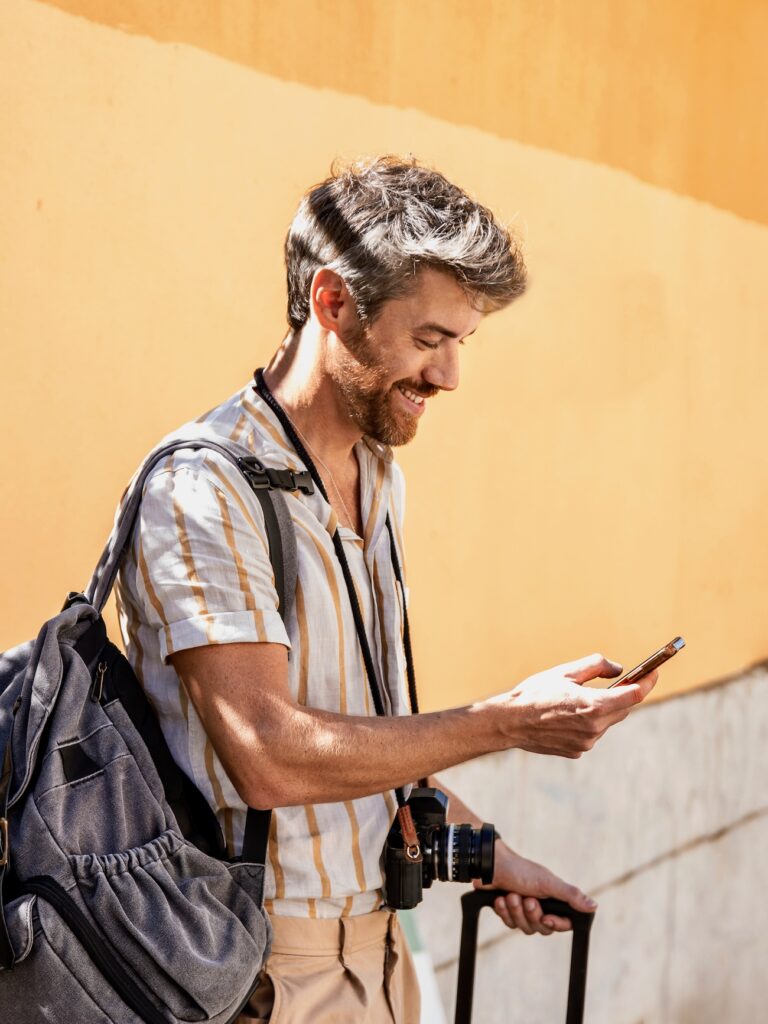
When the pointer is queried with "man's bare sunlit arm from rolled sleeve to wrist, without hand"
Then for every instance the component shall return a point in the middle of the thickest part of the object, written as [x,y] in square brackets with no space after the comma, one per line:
[279,753]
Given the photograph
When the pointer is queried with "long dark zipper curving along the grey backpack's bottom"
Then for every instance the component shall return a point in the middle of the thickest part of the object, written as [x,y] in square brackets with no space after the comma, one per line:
[95,946]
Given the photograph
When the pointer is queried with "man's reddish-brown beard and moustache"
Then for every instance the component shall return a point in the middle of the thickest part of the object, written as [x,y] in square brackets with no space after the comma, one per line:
[364,385]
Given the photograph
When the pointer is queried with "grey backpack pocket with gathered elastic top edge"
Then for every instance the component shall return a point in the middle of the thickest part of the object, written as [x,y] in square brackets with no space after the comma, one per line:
[189,926]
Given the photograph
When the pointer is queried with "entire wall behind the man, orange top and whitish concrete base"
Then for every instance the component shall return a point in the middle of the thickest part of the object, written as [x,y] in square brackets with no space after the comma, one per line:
[599,481]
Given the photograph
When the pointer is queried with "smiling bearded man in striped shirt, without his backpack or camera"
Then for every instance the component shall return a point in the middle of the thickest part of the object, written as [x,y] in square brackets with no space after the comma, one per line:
[391,268]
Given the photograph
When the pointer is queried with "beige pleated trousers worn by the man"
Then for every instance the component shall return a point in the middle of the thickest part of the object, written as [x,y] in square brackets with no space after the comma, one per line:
[348,971]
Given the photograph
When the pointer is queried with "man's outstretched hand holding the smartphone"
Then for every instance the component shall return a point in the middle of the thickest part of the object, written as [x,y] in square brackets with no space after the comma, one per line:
[553,713]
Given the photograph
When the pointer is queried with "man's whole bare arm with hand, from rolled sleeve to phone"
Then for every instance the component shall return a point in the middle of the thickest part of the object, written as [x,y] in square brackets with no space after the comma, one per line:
[279,753]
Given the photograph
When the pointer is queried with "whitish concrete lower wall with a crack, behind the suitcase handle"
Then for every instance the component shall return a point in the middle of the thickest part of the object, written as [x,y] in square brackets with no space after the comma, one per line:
[666,824]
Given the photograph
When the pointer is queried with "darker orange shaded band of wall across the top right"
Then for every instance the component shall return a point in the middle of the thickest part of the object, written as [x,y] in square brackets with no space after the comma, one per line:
[671,91]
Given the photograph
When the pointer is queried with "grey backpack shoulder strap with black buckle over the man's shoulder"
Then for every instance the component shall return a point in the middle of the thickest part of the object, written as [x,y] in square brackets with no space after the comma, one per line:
[266,483]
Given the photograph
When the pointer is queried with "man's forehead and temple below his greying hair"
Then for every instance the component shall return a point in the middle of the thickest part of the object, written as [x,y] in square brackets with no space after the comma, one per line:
[437,301]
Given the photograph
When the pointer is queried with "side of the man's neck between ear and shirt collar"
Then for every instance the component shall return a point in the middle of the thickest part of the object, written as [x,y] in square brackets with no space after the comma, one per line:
[298,379]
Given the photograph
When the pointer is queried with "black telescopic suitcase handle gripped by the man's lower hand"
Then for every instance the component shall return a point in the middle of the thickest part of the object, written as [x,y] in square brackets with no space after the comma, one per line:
[473,904]
